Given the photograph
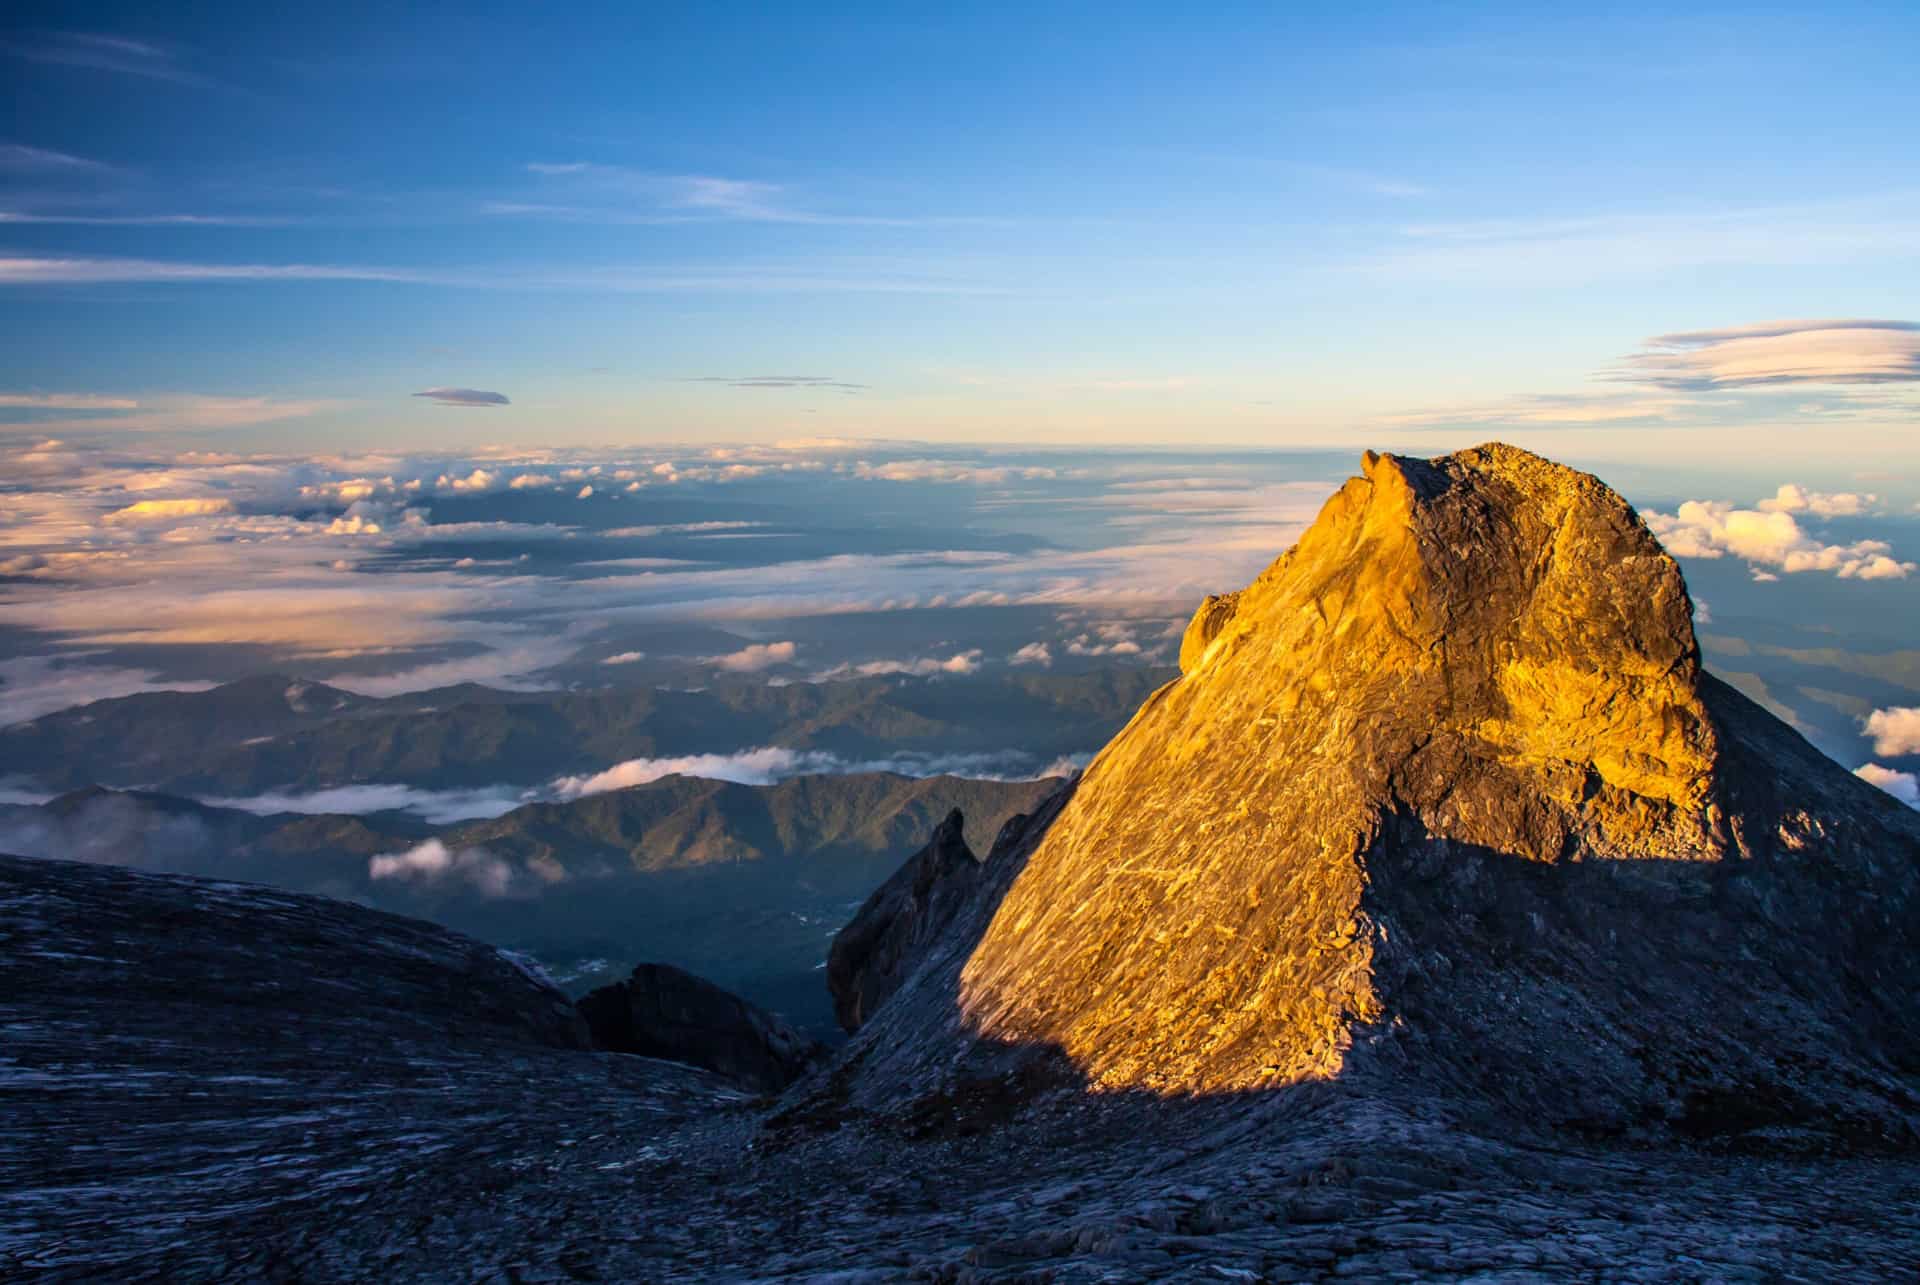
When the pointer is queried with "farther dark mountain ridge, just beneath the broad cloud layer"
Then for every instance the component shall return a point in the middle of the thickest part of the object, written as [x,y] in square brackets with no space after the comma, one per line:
[277,733]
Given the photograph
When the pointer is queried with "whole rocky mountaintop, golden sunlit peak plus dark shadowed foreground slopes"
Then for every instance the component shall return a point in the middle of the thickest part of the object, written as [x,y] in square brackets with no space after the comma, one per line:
[1441,919]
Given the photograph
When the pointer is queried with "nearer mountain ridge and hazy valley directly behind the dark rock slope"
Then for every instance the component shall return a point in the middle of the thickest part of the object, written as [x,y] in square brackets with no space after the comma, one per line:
[744,885]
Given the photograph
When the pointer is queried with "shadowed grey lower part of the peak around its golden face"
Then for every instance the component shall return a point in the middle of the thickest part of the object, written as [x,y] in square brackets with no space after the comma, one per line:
[1750,1004]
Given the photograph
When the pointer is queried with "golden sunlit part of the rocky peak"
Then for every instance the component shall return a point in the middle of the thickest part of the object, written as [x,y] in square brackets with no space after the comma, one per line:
[1487,646]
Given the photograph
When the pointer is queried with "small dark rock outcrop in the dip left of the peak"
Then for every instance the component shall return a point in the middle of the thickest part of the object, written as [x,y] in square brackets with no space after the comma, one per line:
[671,1015]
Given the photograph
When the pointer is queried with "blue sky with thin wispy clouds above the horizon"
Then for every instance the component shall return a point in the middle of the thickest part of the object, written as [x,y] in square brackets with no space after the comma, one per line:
[1042,224]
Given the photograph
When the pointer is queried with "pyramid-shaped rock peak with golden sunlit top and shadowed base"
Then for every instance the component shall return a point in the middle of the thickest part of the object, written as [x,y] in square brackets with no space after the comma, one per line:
[1445,798]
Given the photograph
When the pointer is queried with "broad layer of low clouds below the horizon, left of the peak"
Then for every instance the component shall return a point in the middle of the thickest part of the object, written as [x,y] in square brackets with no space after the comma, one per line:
[398,571]
